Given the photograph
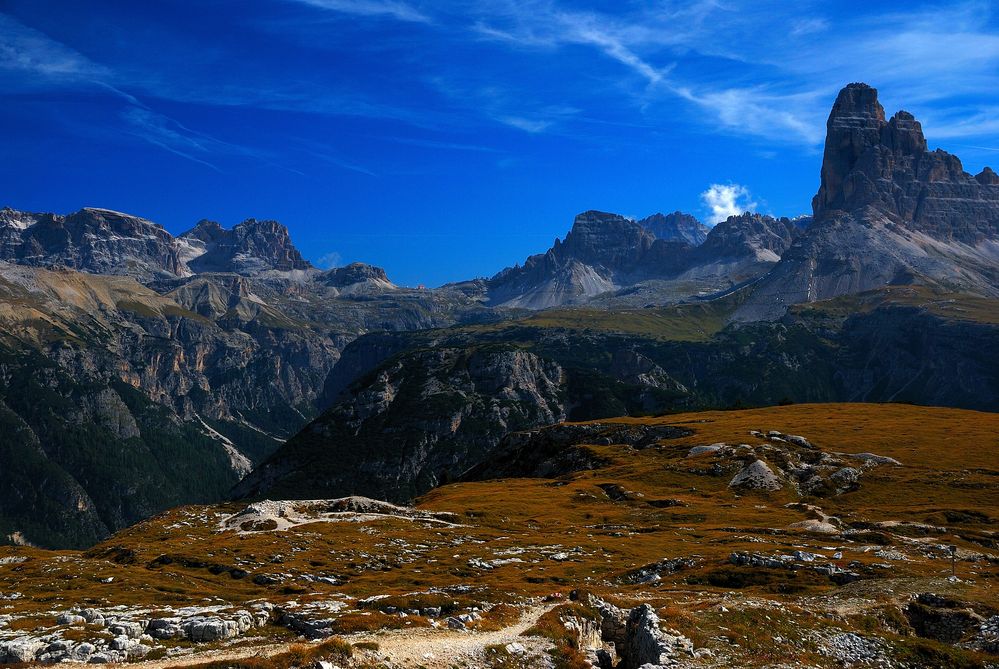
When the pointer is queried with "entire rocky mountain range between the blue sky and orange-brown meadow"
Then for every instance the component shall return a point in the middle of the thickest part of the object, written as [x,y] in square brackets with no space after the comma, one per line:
[121,343]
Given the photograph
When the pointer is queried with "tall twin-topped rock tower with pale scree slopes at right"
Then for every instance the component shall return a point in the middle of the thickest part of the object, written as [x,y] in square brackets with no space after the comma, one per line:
[888,212]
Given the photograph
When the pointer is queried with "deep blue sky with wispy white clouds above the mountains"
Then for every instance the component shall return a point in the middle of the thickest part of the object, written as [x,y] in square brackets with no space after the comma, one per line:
[446,140]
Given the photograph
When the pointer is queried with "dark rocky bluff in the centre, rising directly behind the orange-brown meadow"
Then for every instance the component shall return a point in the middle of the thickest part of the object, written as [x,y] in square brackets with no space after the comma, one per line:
[413,422]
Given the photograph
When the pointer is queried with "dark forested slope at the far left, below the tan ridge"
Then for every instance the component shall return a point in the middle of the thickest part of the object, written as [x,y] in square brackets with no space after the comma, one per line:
[83,456]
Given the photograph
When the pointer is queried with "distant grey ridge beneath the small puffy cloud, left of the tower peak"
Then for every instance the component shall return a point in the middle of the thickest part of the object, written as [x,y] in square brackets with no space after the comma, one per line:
[612,257]
